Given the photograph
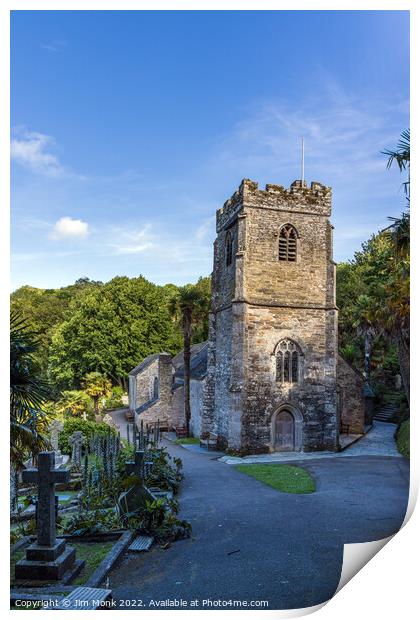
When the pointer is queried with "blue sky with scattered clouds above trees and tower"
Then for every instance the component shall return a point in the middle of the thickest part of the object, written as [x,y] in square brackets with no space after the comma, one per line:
[129,130]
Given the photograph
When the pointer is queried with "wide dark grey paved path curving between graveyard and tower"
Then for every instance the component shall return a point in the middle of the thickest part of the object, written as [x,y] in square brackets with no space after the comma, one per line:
[252,543]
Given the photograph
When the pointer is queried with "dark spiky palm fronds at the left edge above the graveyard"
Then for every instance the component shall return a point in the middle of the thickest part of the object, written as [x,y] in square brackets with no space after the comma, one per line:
[28,421]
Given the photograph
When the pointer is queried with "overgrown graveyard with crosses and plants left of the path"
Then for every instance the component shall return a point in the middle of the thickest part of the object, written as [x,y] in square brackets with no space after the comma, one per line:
[74,514]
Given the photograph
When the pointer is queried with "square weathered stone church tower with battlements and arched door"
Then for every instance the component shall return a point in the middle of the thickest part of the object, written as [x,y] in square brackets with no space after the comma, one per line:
[272,362]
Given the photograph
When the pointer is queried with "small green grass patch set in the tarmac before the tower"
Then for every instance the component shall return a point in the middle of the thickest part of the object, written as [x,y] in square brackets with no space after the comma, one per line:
[286,478]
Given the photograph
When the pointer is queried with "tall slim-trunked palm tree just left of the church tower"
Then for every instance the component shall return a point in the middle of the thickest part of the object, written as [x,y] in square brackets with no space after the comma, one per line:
[189,306]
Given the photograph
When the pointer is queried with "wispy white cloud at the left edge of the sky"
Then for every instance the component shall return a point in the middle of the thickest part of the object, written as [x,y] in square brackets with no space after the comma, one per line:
[33,150]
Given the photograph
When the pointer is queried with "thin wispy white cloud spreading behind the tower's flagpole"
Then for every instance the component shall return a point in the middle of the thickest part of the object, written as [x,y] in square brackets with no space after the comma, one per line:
[343,139]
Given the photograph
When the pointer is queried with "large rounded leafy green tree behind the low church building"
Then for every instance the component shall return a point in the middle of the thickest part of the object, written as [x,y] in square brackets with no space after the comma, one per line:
[109,328]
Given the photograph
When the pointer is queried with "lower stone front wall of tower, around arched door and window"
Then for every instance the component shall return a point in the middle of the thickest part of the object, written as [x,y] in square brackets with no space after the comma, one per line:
[314,396]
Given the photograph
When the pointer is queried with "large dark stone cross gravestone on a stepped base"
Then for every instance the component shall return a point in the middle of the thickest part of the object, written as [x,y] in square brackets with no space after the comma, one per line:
[48,558]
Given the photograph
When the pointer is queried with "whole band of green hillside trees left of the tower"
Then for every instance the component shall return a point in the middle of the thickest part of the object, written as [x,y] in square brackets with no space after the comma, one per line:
[96,327]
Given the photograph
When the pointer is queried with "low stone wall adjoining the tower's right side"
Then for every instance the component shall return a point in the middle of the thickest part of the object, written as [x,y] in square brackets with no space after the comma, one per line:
[351,400]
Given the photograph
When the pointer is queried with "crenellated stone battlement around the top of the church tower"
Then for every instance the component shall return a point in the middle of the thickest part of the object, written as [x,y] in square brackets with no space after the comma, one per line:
[299,198]
